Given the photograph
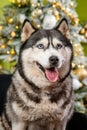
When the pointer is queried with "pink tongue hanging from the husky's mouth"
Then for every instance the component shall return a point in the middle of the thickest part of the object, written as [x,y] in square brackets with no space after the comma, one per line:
[52,75]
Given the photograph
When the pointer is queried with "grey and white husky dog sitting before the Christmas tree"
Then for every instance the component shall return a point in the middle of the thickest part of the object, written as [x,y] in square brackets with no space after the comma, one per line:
[40,96]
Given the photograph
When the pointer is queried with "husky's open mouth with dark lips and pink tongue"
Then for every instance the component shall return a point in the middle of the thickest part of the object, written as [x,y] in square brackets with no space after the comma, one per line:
[51,73]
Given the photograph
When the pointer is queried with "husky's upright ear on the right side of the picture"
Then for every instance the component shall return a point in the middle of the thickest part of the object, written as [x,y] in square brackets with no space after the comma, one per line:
[64,28]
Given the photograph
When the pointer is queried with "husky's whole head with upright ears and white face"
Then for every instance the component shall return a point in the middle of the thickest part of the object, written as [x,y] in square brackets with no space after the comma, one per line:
[45,55]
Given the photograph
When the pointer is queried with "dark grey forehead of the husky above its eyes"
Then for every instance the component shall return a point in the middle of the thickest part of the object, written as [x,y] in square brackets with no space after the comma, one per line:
[49,35]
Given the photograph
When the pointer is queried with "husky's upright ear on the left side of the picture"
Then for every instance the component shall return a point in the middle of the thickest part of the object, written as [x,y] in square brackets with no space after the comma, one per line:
[27,30]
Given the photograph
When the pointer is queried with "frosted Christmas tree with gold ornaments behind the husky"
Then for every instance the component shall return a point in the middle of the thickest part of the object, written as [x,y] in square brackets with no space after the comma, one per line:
[45,14]
